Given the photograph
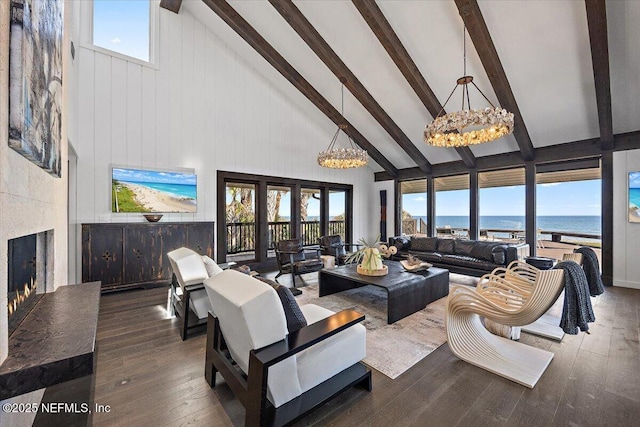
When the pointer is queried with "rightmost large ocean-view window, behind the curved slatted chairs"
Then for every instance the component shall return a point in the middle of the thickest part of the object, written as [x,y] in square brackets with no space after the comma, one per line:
[568,210]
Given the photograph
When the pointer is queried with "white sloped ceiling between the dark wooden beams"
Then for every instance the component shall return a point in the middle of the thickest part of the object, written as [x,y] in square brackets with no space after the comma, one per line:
[543,46]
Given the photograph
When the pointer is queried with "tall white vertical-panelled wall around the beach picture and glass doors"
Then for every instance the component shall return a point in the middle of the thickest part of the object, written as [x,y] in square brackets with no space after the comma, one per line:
[202,108]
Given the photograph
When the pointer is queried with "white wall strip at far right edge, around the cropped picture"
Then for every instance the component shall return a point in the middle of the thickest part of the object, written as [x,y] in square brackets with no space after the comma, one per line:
[626,235]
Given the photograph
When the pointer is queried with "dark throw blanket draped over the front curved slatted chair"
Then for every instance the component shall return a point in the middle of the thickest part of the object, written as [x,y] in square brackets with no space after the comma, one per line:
[576,311]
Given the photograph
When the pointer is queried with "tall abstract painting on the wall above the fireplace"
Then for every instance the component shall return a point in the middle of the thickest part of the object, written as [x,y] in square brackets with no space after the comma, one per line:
[35,81]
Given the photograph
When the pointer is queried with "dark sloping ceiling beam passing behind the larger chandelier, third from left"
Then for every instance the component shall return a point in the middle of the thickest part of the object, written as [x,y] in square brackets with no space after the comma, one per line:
[396,50]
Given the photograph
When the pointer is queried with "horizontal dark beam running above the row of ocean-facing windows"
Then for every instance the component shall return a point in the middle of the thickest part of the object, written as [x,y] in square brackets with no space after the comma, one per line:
[576,150]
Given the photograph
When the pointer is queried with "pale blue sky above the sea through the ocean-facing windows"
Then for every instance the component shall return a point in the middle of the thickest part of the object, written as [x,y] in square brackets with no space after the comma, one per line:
[562,199]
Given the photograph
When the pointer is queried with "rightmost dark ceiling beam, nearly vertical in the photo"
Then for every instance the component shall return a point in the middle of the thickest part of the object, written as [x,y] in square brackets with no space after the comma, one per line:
[597,22]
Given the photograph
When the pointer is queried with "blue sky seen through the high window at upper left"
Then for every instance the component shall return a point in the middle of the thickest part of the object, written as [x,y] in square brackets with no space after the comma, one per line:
[122,26]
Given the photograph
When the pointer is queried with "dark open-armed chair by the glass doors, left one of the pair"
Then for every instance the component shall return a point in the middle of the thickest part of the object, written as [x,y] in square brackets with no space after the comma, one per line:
[292,258]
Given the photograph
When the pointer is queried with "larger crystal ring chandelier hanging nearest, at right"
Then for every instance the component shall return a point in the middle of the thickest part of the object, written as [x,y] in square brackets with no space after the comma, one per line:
[484,125]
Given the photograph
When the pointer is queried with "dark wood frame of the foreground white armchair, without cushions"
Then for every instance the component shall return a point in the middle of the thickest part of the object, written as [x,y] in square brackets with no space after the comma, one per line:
[251,389]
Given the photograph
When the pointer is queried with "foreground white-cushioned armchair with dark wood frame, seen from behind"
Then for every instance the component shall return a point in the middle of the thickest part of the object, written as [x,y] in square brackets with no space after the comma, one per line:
[282,375]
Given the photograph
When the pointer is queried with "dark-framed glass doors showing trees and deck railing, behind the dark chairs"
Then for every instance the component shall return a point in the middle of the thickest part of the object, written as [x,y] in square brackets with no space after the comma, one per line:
[255,212]
